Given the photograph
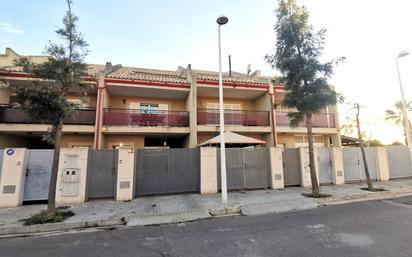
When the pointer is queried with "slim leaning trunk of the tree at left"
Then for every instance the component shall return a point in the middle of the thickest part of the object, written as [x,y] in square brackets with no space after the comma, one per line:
[51,205]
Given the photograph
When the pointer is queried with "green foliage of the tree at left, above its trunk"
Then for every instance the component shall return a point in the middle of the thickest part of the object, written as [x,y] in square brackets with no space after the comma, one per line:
[63,72]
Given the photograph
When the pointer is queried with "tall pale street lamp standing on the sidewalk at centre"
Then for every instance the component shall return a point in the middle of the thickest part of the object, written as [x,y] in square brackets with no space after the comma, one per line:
[222,20]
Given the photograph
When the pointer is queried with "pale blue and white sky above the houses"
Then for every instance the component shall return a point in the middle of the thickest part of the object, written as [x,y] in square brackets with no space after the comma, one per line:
[164,34]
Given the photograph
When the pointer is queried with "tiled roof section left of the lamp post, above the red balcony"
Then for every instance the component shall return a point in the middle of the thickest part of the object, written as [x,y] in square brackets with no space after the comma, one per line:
[148,75]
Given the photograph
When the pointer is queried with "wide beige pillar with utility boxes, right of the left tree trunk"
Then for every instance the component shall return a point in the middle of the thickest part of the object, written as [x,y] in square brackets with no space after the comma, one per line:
[72,176]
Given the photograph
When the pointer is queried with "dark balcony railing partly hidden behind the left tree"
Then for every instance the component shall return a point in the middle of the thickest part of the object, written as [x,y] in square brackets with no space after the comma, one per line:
[8,114]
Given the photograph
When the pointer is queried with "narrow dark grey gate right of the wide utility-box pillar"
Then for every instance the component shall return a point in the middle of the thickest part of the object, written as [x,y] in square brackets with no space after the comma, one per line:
[101,173]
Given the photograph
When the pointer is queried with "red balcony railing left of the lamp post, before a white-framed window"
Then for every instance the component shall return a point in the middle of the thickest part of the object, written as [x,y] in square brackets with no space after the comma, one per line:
[137,117]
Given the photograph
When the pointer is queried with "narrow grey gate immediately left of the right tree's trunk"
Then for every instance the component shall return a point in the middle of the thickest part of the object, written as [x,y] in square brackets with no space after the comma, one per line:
[291,167]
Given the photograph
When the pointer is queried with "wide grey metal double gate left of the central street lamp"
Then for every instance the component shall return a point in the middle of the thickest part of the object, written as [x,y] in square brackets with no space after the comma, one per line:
[166,171]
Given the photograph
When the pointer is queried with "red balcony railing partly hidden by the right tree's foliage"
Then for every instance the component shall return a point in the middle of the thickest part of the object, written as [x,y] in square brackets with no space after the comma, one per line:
[319,120]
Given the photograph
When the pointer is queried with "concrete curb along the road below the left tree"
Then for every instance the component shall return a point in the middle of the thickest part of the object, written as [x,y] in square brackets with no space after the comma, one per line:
[52,227]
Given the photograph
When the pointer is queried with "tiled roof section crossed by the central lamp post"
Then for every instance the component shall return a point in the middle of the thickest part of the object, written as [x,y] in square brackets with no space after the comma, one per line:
[235,77]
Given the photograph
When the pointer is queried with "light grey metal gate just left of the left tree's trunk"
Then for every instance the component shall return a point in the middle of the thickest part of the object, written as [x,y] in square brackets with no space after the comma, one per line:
[38,165]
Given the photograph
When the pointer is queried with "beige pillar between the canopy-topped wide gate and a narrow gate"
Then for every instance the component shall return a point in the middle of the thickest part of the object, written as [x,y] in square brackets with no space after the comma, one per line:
[276,168]
